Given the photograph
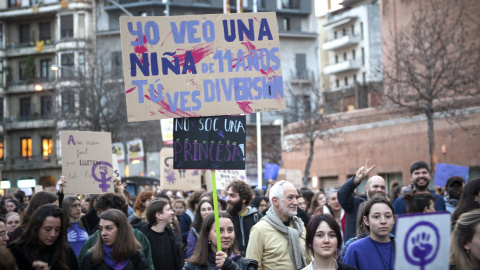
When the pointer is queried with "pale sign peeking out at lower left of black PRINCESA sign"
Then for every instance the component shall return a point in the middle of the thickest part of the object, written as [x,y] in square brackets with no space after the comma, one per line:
[177,179]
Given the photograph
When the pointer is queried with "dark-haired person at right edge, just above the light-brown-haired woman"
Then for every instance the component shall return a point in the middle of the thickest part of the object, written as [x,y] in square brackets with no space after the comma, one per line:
[469,200]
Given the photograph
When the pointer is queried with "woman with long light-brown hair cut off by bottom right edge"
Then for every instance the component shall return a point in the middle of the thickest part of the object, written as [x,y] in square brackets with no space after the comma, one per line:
[465,248]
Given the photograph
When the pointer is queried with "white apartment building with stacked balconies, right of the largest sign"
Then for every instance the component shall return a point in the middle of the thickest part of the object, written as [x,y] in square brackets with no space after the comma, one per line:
[351,54]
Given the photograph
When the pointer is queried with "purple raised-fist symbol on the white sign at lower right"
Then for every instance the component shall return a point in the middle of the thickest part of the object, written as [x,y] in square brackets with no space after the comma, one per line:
[421,244]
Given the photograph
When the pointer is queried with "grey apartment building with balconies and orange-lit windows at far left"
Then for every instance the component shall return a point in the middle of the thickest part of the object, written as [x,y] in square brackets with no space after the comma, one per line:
[34,36]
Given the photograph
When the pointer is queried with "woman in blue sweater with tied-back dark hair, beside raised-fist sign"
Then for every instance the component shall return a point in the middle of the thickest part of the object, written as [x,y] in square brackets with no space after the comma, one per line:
[377,250]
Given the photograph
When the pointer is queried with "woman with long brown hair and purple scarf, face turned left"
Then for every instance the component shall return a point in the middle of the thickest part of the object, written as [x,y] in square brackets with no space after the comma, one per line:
[116,247]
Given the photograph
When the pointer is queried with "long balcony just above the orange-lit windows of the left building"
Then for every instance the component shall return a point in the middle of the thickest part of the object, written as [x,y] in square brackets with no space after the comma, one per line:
[30,122]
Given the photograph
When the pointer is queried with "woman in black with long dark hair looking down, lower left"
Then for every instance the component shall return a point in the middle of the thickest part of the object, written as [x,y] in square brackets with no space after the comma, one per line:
[43,243]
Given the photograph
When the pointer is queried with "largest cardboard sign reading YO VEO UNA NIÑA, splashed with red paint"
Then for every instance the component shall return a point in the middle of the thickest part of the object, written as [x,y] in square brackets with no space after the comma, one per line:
[201,65]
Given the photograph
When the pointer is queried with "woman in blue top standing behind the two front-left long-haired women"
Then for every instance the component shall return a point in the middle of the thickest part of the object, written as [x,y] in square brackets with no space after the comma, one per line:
[76,233]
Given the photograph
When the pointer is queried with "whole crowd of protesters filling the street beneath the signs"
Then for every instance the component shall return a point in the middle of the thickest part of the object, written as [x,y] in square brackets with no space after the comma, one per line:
[284,228]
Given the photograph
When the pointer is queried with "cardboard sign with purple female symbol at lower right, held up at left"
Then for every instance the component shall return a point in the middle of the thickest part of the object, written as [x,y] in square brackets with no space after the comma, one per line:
[87,162]
